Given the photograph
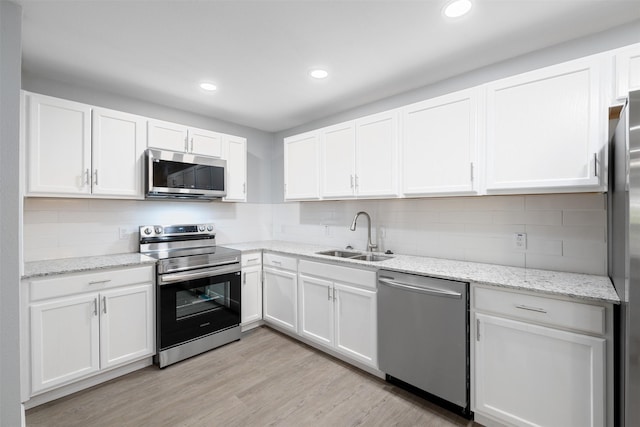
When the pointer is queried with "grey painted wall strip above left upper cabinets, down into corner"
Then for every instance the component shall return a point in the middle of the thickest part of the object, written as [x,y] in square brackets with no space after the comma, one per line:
[259,143]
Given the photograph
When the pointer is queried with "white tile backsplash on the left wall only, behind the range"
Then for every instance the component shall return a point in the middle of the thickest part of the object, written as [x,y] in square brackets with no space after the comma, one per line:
[63,228]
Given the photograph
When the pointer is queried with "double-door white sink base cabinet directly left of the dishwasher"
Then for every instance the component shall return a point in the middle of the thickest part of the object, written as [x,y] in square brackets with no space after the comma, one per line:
[338,309]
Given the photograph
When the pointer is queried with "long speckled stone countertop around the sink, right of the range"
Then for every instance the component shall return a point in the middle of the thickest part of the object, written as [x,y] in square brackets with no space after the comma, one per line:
[581,286]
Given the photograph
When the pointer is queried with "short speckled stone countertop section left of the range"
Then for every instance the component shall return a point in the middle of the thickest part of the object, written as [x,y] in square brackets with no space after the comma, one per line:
[52,267]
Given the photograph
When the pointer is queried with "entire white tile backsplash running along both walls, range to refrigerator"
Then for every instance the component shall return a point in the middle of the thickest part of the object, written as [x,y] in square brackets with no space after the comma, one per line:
[565,232]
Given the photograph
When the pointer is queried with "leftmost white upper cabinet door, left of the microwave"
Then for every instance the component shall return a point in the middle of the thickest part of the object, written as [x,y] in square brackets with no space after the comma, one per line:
[58,146]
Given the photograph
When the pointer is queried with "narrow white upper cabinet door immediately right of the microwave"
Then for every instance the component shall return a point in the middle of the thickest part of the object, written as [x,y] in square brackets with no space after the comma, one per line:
[235,153]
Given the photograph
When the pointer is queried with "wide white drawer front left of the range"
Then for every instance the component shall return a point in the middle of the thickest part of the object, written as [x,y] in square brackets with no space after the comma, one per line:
[69,284]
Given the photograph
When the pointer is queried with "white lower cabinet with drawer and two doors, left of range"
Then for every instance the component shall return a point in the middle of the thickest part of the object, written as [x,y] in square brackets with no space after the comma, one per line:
[83,324]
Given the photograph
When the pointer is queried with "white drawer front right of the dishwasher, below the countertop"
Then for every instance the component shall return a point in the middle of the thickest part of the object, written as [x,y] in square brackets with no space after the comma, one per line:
[554,312]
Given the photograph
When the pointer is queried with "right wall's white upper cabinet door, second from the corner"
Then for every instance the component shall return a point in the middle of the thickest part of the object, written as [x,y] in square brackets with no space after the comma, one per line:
[338,160]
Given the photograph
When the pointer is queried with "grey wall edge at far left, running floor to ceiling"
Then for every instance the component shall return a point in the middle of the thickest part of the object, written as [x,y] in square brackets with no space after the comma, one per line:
[10,59]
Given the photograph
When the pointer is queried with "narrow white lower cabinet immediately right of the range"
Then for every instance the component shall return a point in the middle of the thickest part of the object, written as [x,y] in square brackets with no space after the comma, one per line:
[251,297]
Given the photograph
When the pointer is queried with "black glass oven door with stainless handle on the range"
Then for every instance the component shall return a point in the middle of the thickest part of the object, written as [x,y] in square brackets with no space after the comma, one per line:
[196,303]
